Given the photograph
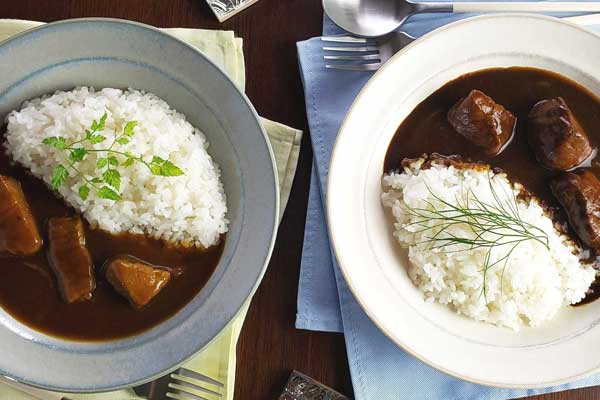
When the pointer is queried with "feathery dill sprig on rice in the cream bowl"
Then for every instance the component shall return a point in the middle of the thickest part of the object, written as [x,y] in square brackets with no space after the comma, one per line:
[491,225]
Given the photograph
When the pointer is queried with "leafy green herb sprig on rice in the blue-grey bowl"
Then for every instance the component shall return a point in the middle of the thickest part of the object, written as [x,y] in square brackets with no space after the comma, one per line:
[108,183]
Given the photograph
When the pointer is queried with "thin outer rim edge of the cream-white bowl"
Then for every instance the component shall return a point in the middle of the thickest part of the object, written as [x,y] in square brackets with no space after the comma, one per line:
[335,240]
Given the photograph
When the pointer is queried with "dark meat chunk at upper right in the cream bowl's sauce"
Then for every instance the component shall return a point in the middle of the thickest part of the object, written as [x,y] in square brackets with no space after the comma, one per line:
[556,137]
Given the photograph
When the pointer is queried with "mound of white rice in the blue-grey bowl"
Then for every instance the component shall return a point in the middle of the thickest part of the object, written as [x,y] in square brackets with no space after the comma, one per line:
[188,209]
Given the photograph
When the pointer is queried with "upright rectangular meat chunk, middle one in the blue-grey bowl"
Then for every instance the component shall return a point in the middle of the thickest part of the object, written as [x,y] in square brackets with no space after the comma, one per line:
[69,258]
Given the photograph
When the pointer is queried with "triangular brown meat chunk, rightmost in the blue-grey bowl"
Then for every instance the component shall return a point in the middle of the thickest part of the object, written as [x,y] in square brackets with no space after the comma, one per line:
[135,279]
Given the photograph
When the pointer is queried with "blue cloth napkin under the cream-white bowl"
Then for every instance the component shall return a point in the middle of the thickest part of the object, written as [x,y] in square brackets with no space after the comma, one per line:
[380,370]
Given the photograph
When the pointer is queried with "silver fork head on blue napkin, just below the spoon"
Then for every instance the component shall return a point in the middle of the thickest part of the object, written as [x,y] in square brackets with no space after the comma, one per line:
[361,54]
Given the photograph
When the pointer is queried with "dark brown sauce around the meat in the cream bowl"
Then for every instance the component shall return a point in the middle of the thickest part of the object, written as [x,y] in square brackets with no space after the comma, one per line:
[426,129]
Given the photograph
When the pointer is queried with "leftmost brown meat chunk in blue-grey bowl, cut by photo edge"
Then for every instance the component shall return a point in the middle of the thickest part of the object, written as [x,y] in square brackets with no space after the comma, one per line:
[19,234]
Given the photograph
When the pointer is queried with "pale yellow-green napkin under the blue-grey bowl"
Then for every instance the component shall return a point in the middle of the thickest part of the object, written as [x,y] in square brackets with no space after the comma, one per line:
[218,359]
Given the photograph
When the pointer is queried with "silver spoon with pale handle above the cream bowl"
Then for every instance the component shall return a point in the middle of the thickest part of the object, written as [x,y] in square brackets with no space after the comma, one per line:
[373,18]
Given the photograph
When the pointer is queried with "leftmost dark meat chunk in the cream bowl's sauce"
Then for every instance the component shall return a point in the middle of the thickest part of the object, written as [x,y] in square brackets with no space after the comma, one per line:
[482,121]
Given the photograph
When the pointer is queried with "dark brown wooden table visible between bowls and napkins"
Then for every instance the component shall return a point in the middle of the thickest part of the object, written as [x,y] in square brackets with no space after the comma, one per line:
[270,347]
